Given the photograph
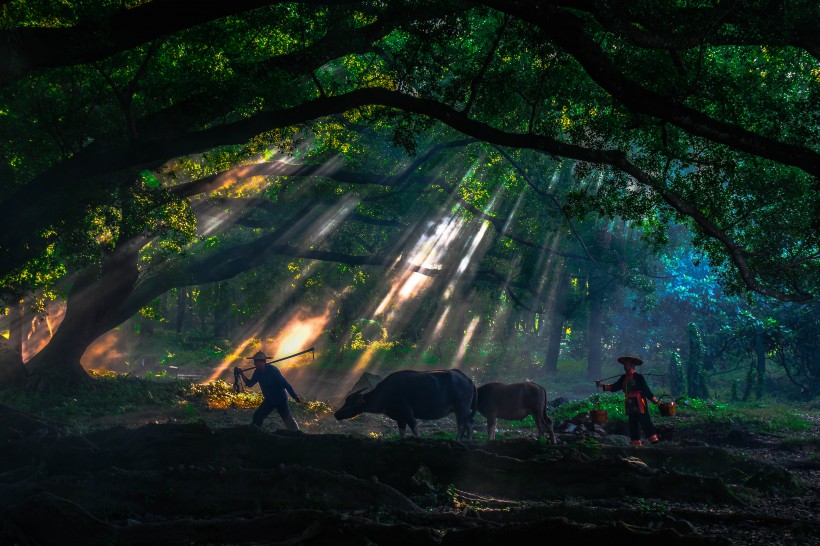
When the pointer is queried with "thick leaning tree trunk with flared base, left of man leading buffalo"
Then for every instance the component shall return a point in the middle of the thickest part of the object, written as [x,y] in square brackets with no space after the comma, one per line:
[95,296]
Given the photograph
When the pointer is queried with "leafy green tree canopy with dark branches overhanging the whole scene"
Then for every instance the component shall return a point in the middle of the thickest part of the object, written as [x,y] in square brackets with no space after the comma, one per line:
[131,133]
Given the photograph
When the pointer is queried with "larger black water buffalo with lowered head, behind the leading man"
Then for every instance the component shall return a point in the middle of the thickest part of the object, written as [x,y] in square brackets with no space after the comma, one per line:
[409,395]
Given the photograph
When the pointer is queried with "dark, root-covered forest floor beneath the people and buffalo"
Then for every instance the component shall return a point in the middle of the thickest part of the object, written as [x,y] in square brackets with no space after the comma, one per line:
[197,475]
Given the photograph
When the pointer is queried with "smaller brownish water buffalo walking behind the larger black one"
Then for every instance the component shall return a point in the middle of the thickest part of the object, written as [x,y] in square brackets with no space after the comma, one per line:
[513,402]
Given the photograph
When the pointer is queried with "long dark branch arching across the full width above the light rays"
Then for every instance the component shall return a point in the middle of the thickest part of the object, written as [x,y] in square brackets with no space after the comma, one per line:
[21,219]
